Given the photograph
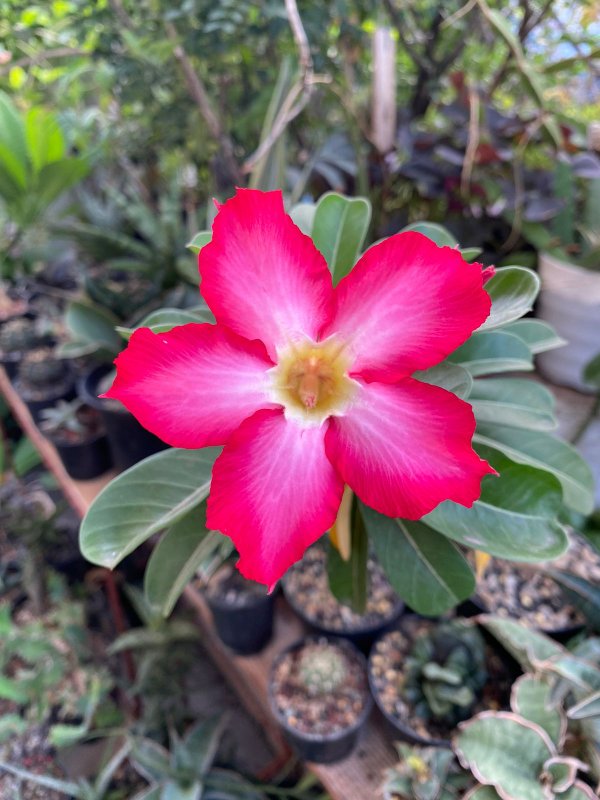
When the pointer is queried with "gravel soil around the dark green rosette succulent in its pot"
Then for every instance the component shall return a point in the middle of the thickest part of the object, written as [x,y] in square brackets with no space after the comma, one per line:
[386,666]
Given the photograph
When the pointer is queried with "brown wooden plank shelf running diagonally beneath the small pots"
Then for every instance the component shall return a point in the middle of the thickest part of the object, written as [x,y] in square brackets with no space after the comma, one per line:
[357,777]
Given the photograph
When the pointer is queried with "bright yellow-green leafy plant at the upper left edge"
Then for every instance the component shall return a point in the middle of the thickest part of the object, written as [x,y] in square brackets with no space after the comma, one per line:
[35,170]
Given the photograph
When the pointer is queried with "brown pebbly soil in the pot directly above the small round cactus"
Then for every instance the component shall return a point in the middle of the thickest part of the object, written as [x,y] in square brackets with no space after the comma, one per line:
[307,589]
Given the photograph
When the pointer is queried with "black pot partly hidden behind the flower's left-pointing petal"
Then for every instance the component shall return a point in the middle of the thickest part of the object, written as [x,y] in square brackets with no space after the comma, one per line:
[129,442]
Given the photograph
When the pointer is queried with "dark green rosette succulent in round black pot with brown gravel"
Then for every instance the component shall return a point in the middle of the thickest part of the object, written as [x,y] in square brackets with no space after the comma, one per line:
[428,676]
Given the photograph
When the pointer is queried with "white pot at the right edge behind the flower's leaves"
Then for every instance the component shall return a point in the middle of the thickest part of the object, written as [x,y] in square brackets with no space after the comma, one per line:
[569,301]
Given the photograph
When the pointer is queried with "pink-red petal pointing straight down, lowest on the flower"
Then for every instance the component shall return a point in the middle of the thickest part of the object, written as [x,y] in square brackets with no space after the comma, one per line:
[274,492]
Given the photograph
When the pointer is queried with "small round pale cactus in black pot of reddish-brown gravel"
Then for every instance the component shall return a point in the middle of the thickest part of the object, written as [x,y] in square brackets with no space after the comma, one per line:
[319,694]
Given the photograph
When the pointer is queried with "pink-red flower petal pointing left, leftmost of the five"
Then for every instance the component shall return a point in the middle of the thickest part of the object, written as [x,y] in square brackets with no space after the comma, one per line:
[193,385]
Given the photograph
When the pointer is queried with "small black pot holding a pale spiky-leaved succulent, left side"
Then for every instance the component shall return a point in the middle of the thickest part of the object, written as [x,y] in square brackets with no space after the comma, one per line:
[77,432]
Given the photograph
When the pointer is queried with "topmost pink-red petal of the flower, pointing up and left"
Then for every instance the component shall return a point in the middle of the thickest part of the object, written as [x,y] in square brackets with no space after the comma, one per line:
[261,276]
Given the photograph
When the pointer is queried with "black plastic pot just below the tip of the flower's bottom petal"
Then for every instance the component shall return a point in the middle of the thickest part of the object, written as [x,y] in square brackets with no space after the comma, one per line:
[247,628]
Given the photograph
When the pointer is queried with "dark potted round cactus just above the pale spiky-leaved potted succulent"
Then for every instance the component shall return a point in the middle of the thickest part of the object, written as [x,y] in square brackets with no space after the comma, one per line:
[43,379]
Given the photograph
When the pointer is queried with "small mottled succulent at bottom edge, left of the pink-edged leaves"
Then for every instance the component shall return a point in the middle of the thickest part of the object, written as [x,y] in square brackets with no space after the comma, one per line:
[425,773]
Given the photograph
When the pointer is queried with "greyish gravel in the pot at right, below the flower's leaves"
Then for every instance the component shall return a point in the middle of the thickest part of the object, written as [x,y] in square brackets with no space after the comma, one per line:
[524,592]
